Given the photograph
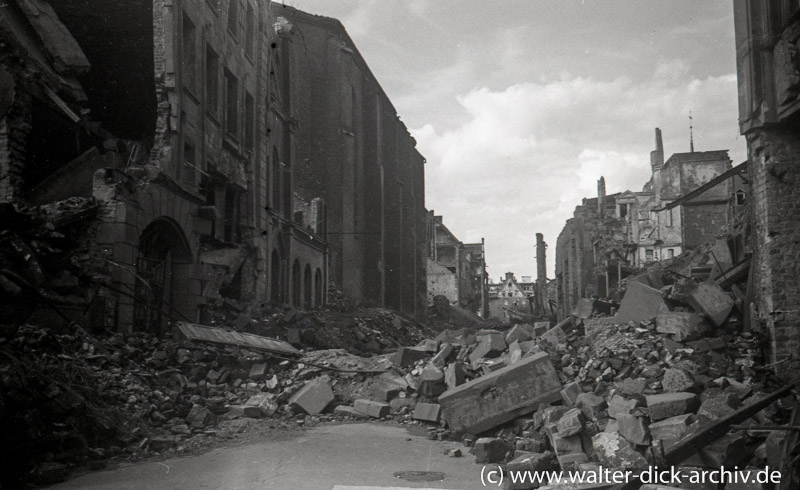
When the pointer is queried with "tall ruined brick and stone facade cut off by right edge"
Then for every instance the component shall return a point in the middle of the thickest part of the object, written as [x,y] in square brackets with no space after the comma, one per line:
[767,44]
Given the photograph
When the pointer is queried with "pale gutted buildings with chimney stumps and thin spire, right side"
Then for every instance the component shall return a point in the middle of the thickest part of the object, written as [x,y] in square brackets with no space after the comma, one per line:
[690,200]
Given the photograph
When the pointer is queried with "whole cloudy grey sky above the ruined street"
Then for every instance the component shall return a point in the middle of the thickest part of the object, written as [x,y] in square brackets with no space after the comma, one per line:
[520,106]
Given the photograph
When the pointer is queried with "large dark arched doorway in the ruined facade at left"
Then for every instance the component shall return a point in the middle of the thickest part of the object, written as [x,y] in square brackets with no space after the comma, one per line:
[161,247]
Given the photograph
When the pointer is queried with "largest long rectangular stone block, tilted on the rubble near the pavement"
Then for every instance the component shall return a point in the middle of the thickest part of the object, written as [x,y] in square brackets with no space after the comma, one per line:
[501,396]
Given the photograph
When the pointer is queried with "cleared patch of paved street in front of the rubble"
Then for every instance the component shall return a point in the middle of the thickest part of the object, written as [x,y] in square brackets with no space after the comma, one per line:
[340,457]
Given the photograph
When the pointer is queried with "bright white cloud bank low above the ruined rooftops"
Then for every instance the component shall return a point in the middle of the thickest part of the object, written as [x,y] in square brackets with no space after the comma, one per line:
[526,155]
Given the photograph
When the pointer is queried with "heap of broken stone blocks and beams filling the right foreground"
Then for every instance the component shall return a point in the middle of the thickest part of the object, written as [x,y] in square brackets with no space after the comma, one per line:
[618,391]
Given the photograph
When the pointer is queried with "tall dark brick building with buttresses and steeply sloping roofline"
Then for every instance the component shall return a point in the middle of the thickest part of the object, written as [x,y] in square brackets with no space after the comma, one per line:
[343,141]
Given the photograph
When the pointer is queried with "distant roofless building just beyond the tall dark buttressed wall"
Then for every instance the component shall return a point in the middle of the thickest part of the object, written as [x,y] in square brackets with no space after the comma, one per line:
[455,270]
